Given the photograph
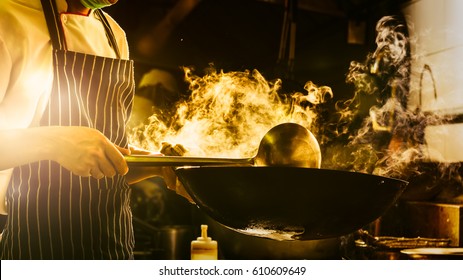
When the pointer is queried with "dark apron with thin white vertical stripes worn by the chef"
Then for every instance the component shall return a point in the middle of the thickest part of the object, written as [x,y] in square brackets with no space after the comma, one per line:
[54,214]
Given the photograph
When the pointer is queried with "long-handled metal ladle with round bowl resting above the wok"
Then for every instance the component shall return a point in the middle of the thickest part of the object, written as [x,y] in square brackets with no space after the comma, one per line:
[287,144]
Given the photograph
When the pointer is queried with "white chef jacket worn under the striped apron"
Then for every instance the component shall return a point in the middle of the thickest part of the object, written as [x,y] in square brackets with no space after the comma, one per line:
[26,69]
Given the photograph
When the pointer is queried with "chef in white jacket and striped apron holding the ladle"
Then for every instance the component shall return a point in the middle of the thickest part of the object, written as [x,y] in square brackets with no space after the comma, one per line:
[66,89]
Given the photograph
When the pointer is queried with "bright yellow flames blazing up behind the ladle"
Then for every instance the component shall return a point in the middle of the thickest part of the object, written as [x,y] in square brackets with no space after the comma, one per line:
[227,114]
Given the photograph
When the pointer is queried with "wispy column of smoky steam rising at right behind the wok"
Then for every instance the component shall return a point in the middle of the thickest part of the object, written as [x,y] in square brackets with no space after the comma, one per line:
[390,140]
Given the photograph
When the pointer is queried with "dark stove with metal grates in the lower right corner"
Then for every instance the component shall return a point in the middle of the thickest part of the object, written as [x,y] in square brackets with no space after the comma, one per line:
[413,225]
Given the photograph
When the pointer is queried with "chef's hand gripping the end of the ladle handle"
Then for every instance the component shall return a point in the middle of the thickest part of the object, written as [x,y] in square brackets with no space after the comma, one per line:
[87,152]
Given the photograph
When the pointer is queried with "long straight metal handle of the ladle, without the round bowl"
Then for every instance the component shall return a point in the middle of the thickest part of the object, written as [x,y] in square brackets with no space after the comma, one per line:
[147,160]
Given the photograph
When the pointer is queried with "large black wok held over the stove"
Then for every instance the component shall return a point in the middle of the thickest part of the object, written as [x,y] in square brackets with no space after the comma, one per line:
[290,203]
